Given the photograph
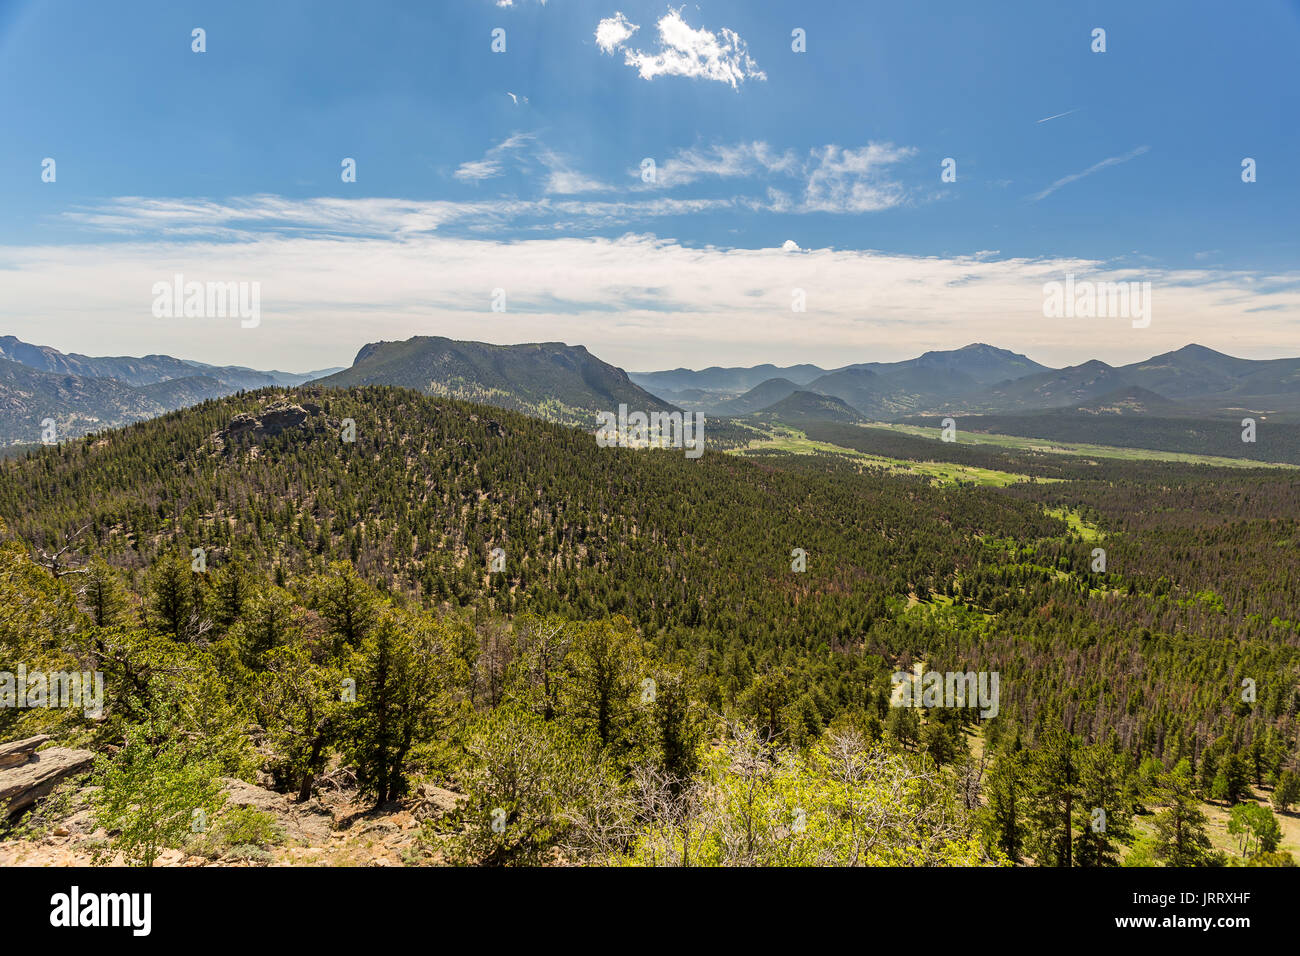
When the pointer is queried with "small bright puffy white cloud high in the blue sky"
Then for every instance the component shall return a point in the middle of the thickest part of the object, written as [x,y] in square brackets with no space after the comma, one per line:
[683,51]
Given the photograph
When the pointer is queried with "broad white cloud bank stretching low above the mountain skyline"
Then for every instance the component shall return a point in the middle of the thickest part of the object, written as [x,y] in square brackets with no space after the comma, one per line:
[638,301]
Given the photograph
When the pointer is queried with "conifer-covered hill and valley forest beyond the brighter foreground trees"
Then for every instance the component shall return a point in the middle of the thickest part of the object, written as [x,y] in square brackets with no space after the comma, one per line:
[699,553]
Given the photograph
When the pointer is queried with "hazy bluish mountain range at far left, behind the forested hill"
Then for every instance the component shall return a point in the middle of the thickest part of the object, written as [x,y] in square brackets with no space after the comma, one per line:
[88,395]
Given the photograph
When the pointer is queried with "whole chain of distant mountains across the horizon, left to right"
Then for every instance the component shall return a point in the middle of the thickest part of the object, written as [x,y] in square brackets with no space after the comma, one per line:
[567,384]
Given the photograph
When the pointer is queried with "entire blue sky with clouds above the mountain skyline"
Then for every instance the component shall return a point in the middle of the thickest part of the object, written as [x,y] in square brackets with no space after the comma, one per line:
[226,166]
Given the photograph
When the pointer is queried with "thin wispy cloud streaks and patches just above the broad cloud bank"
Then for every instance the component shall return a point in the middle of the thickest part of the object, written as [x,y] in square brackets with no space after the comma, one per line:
[831,179]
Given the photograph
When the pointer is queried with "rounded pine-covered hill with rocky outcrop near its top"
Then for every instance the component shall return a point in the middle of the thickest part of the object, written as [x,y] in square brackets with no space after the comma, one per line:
[431,486]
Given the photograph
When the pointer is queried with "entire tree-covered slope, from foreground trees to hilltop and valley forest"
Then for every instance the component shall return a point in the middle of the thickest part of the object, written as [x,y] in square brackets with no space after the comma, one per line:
[644,651]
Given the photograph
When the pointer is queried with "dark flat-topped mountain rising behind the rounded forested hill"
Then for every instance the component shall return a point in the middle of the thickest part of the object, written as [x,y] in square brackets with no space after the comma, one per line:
[549,380]
